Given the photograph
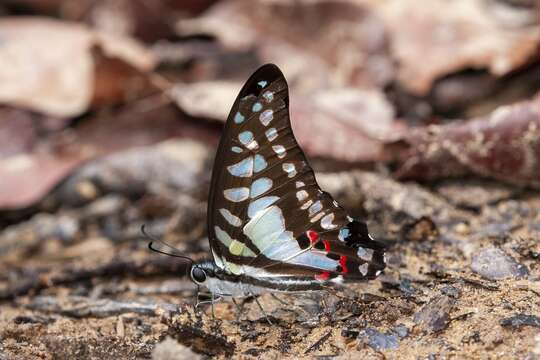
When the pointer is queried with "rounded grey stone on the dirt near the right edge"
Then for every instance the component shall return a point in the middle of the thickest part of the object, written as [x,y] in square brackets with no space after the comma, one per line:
[494,264]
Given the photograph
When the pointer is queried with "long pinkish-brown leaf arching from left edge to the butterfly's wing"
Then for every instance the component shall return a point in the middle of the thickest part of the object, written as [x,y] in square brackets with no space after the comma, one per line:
[27,177]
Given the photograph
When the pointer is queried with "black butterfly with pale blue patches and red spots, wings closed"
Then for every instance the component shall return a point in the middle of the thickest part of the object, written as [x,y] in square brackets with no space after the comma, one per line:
[271,228]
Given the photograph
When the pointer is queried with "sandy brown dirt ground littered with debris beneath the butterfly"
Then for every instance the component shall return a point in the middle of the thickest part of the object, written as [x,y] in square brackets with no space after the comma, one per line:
[95,297]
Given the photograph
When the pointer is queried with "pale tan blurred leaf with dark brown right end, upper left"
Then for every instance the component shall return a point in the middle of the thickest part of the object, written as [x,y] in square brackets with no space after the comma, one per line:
[50,66]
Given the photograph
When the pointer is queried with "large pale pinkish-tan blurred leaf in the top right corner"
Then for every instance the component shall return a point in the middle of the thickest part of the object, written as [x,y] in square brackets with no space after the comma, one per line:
[466,34]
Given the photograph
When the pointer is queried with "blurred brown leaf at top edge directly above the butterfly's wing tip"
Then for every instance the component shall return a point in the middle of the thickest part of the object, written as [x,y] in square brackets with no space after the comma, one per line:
[315,43]
